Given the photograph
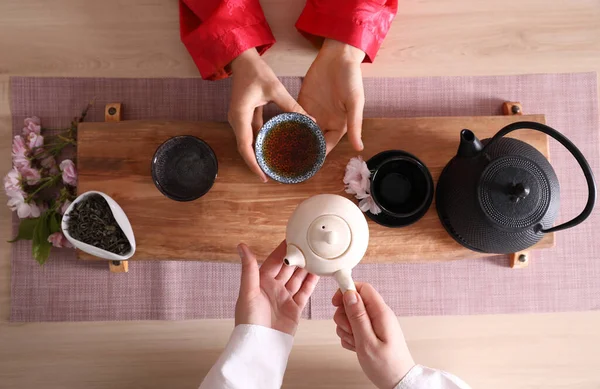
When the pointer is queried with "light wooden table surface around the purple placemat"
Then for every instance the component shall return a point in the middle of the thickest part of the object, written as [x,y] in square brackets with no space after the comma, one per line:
[139,38]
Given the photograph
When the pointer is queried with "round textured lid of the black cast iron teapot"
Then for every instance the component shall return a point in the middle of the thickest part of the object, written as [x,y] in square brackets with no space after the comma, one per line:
[514,192]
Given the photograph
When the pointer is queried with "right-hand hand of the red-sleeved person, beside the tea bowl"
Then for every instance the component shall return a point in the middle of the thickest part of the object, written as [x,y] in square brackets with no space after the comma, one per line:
[332,92]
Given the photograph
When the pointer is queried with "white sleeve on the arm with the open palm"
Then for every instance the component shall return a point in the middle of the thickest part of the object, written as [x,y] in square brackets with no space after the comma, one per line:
[255,357]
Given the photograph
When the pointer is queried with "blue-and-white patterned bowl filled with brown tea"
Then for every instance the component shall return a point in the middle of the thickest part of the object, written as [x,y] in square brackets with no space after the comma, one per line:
[290,148]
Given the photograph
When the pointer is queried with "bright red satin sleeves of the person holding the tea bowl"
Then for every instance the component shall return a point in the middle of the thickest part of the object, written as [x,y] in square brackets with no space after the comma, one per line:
[217,31]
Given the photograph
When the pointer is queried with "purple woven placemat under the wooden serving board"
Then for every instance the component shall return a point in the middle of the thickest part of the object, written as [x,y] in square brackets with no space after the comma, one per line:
[561,279]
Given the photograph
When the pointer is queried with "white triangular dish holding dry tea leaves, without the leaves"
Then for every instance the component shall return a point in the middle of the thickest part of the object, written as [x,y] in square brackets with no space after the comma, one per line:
[119,216]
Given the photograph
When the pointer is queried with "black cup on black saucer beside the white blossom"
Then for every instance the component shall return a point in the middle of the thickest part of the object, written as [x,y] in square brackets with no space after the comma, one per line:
[402,186]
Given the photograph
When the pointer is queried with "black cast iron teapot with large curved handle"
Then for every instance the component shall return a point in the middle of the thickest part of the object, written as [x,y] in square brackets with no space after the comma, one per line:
[501,195]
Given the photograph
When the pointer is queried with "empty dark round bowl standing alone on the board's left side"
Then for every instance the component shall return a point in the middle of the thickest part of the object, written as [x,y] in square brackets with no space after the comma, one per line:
[184,168]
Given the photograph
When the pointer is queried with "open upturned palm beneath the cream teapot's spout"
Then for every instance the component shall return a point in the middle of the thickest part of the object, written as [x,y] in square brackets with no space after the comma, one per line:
[274,295]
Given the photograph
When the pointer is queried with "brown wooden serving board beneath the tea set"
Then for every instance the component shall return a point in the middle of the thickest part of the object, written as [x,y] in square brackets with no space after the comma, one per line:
[115,158]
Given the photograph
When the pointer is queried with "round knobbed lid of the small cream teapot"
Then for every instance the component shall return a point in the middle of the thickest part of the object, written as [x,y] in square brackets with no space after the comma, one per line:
[329,236]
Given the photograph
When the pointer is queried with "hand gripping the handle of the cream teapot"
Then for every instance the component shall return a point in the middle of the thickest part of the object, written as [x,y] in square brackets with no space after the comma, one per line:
[366,325]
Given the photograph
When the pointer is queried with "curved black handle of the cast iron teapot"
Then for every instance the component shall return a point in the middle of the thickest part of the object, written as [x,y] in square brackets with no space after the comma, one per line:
[587,171]
